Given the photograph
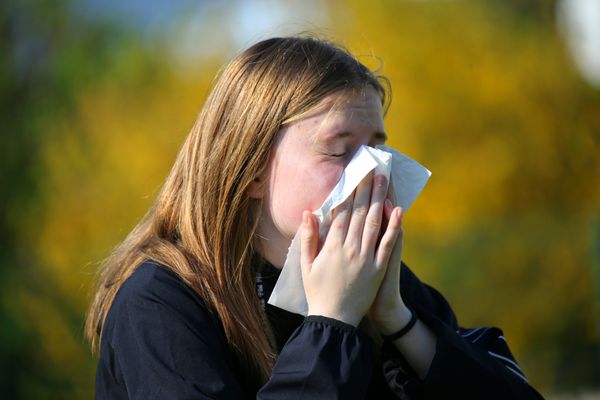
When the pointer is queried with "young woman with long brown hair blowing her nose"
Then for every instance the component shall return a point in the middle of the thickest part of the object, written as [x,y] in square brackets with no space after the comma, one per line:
[181,304]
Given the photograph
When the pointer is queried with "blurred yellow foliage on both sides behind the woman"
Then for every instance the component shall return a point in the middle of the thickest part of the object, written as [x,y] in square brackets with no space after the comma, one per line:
[487,101]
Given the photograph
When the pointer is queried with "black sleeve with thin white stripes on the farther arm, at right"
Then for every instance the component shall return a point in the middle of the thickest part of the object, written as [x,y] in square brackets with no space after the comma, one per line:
[469,363]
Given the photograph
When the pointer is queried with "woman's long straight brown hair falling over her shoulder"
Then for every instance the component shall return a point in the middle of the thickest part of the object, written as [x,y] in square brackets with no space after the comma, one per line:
[202,225]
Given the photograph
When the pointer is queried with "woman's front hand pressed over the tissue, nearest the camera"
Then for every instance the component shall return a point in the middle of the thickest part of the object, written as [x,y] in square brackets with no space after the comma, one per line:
[342,279]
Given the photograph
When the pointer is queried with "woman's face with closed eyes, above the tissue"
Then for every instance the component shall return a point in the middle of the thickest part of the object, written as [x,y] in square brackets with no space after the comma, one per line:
[308,159]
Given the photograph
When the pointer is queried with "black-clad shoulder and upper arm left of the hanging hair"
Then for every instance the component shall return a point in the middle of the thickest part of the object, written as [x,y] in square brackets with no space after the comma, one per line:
[159,340]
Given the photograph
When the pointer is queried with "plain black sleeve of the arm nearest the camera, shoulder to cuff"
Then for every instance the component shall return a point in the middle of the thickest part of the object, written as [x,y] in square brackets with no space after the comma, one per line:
[160,342]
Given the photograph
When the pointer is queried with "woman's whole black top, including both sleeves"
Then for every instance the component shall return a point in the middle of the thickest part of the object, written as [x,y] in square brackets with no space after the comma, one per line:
[161,342]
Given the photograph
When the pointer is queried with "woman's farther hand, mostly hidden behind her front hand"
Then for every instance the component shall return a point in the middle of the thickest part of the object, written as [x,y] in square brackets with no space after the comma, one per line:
[388,311]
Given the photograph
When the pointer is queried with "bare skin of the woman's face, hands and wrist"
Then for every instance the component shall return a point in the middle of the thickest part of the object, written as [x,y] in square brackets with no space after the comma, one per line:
[355,270]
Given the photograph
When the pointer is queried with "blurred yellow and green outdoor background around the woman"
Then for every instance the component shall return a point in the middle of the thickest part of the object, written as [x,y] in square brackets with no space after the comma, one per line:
[500,99]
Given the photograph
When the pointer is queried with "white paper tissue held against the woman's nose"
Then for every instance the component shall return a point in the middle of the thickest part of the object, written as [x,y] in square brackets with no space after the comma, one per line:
[408,178]
